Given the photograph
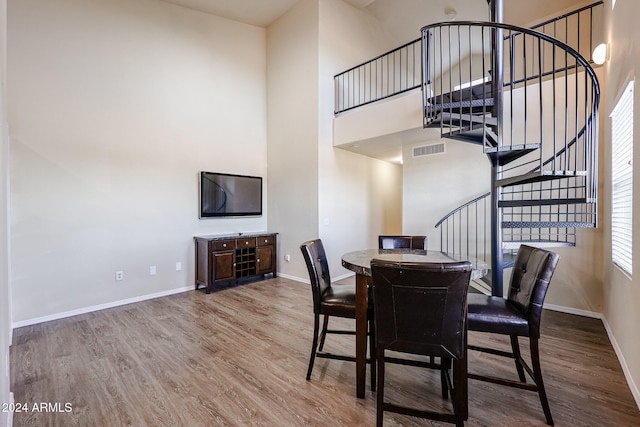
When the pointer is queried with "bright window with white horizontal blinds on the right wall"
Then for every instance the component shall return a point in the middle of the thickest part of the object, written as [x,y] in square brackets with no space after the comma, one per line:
[622,180]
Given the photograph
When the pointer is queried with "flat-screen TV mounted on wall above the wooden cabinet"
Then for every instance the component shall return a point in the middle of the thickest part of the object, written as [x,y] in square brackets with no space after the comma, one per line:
[224,194]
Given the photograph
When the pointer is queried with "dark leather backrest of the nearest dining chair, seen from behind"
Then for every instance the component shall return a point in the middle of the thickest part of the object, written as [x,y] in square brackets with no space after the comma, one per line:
[420,308]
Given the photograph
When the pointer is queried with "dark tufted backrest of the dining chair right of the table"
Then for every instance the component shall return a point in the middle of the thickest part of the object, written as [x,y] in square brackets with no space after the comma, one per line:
[530,279]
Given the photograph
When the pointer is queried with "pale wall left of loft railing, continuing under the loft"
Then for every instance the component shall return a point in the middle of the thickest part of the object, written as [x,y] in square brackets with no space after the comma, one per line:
[359,197]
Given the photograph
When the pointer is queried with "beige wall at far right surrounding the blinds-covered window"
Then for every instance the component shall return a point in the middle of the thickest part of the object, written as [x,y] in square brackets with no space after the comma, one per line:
[622,293]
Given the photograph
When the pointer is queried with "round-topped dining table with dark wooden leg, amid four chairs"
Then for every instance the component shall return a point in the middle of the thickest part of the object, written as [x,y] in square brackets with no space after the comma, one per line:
[360,263]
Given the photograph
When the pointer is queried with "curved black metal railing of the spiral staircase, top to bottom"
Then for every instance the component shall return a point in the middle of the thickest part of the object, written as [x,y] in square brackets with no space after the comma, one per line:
[544,211]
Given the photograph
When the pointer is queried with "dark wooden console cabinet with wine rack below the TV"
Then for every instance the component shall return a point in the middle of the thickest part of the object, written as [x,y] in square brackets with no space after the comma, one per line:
[226,258]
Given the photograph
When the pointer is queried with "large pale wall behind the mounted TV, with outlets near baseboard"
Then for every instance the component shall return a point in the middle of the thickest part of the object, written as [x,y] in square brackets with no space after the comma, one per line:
[114,106]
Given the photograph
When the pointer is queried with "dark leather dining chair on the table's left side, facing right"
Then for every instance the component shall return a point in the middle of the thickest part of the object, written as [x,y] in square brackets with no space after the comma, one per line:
[332,300]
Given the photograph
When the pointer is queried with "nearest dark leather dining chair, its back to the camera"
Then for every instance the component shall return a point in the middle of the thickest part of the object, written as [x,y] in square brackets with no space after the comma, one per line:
[420,309]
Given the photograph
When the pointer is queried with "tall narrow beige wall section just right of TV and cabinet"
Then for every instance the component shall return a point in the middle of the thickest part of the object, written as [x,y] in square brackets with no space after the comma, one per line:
[292,46]
